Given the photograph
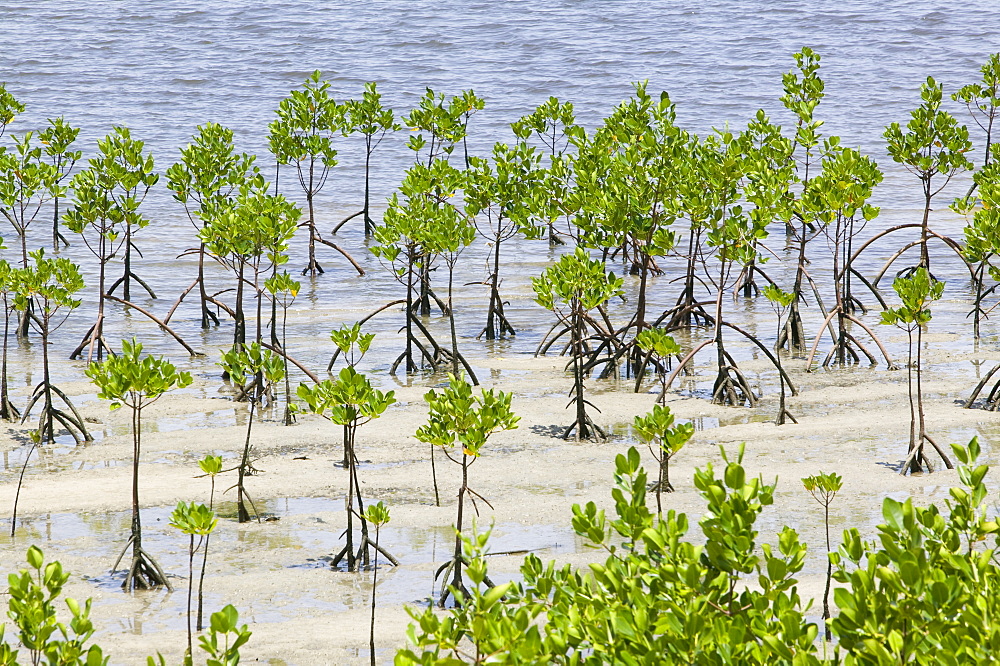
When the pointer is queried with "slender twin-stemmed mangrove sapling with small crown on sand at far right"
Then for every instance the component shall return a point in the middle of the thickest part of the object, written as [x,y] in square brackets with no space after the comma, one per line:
[916,292]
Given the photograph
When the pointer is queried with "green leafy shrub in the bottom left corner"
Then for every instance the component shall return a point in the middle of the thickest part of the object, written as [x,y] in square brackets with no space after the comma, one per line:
[31,608]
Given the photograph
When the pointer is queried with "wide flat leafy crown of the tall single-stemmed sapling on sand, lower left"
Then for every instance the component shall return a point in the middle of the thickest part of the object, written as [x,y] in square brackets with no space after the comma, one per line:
[133,380]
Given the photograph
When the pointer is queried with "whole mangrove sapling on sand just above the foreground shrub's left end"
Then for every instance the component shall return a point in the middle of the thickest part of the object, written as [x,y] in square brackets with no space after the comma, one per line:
[458,418]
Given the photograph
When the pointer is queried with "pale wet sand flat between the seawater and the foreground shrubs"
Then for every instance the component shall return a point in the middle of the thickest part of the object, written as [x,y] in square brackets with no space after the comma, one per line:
[75,501]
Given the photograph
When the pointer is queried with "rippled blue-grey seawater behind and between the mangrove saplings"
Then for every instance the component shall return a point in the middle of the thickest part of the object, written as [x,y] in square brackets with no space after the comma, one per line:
[162,68]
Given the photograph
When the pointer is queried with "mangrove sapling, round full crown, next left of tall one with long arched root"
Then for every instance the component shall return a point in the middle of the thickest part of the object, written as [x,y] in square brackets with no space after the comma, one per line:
[206,182]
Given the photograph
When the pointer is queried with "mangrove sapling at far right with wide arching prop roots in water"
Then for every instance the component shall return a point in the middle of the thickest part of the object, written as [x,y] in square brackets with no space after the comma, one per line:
[933,148]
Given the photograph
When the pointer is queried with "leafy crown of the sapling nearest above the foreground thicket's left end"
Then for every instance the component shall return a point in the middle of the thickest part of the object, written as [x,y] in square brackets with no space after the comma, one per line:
[458,417]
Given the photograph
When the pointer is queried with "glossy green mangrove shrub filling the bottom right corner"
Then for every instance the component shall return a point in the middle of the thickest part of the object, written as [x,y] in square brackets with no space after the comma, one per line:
[927,590]
